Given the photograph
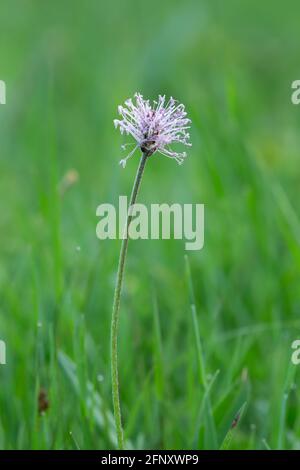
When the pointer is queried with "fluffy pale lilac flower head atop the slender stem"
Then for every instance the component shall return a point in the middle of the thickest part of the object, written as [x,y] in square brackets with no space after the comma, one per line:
[154,126]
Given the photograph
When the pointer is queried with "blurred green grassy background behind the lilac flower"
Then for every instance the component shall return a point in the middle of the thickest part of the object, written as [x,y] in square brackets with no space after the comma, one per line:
[67,65]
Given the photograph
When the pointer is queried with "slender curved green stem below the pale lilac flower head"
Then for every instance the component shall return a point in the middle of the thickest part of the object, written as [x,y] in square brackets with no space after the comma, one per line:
[116,307]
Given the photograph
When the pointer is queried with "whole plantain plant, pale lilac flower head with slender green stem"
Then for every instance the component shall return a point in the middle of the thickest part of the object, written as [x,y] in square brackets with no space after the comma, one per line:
[153,126]
